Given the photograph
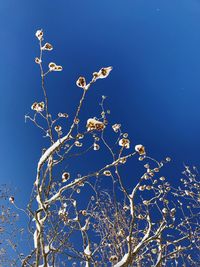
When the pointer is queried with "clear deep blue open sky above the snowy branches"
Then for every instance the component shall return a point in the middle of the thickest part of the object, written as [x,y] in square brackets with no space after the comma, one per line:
[153,90]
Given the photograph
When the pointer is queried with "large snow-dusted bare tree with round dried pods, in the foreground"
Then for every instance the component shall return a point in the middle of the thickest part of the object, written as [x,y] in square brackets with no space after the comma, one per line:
[94,219]
